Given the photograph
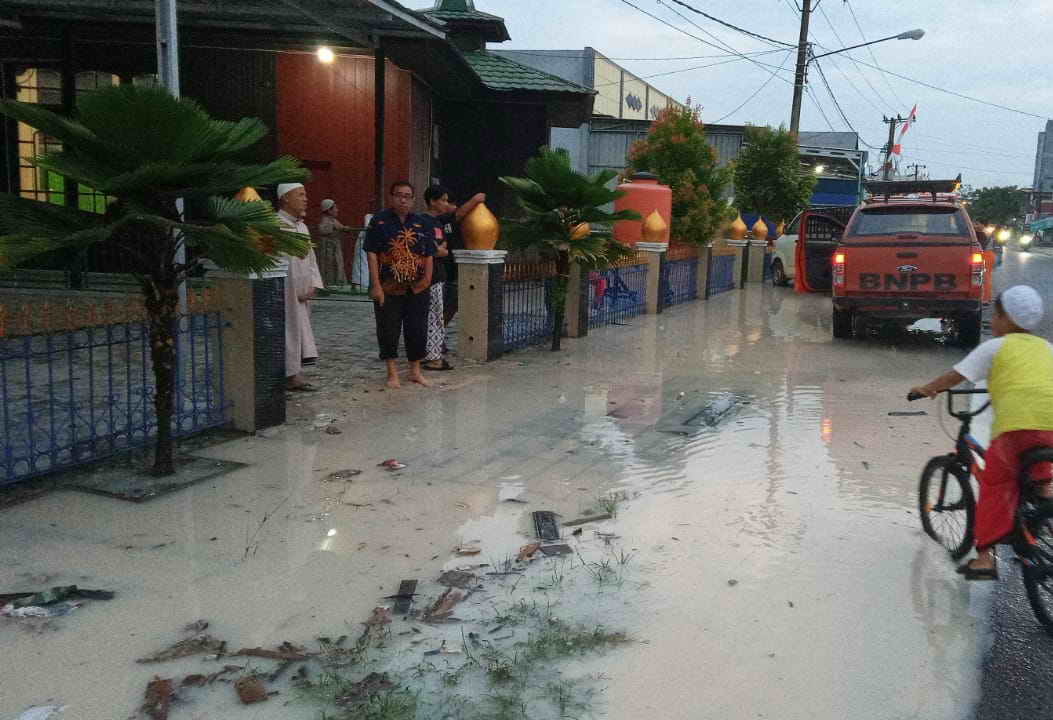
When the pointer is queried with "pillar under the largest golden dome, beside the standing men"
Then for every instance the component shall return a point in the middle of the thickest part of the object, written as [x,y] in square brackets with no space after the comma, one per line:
[481,275]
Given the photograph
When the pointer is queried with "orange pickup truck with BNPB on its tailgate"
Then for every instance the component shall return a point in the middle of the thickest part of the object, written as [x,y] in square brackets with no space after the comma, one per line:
[910,252]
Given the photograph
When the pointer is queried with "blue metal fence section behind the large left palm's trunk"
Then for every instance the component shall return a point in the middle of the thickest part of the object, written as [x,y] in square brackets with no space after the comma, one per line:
[75,395]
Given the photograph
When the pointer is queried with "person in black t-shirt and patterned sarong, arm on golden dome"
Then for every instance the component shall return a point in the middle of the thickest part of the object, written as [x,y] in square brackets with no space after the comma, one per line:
[445,217]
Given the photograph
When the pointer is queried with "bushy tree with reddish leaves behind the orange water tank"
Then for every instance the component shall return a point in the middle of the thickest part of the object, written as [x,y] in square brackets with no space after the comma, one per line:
[675,150]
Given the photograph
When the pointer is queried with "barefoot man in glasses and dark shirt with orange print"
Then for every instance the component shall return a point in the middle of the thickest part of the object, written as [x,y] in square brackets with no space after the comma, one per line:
[401,248]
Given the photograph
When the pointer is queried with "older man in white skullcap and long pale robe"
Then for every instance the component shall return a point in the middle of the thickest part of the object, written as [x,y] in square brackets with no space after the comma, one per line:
[302,283]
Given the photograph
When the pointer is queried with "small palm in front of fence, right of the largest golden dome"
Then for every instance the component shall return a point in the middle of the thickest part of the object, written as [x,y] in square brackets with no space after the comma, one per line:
[559,205]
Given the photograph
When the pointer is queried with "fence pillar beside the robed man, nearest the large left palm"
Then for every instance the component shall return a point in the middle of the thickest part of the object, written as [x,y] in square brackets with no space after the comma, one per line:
[253,310]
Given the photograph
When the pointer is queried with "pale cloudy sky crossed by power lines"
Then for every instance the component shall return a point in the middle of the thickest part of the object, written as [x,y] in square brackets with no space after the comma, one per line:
[996,51]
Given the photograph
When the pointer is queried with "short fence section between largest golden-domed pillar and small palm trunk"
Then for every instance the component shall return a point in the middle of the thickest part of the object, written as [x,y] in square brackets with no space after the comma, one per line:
[527,312]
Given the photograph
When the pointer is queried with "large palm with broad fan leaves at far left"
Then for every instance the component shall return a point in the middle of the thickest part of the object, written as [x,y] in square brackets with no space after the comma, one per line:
[145,149]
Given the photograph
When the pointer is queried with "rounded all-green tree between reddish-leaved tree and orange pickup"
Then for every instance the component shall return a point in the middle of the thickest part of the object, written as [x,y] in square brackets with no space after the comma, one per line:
[768,176]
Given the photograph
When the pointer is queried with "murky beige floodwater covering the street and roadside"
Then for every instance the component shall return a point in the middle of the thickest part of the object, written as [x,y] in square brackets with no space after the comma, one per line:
[780,570]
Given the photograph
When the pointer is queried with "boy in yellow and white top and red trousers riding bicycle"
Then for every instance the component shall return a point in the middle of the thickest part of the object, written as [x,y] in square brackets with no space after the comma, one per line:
[1018,367]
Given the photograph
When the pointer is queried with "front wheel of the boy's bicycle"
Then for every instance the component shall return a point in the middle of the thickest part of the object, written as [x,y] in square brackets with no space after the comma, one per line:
[946,505]
